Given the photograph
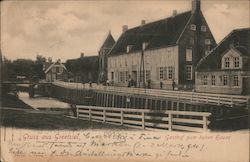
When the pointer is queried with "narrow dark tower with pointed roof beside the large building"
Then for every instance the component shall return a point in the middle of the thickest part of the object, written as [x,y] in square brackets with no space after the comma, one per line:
[102,60]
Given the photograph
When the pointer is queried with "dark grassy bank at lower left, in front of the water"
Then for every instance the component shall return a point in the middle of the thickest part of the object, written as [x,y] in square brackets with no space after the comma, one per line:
[28,118]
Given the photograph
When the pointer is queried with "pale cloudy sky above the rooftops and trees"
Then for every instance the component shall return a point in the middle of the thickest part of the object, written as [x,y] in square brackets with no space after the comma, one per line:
[64,29]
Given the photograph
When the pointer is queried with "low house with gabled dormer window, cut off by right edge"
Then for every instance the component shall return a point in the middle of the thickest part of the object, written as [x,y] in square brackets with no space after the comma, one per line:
[226,69]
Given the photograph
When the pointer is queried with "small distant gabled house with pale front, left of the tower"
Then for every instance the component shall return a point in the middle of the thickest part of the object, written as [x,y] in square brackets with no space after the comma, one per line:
[56,71]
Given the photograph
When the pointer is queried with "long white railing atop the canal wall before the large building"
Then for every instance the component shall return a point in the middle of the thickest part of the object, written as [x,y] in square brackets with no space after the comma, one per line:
[193,97]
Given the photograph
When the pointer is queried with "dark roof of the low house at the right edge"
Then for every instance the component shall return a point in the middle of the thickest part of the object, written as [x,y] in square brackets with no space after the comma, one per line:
[237,39]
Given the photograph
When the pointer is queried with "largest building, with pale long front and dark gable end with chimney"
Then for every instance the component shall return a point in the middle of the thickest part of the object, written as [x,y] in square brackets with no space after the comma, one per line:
[163,52]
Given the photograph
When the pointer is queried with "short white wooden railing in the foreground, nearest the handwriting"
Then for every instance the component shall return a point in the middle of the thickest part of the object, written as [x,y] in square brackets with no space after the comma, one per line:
[146,119]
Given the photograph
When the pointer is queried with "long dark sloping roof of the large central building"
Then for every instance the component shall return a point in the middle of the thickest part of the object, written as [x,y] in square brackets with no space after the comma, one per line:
[160,33]
